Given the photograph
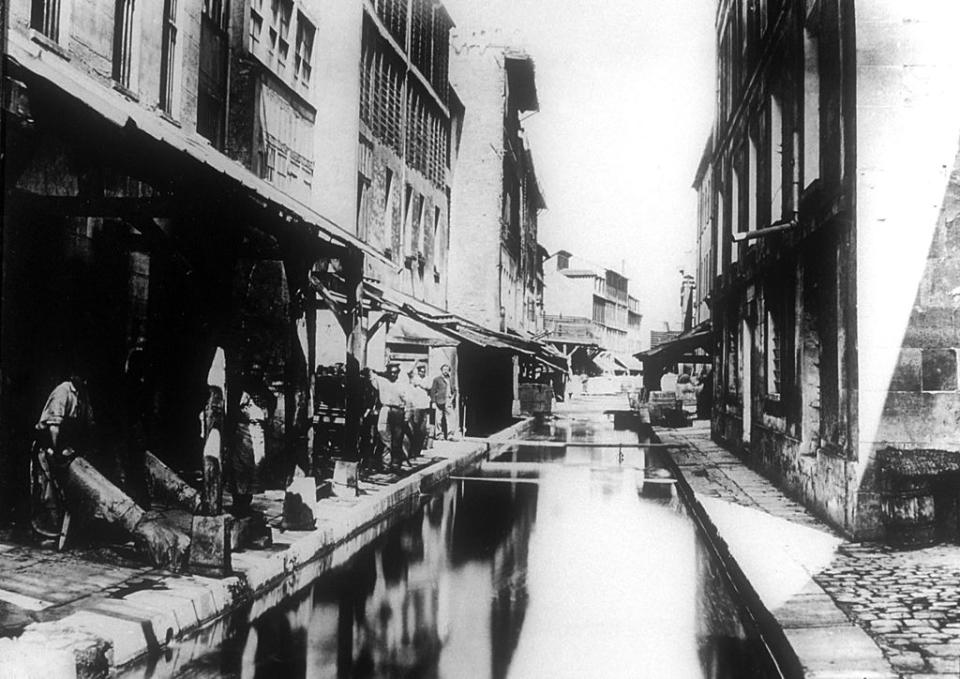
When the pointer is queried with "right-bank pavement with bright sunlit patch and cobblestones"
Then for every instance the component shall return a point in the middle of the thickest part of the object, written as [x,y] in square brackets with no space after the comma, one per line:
[819,585]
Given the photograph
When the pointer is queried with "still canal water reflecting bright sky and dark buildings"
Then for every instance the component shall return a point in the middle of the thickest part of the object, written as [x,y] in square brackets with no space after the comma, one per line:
[548,561]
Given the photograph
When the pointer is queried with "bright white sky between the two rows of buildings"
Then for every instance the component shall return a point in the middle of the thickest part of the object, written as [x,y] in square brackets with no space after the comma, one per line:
[626,91]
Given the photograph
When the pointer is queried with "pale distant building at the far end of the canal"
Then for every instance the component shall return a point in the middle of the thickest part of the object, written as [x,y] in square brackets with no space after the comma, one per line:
[577,289]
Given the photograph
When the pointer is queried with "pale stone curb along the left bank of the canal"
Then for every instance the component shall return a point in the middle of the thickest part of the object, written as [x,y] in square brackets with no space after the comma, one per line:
[105,634]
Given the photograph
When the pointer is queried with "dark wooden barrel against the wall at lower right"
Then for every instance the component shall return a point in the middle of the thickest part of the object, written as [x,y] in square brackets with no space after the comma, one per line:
[907,510]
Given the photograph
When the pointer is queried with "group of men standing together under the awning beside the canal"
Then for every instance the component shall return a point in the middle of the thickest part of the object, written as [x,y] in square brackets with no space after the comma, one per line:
[409,405]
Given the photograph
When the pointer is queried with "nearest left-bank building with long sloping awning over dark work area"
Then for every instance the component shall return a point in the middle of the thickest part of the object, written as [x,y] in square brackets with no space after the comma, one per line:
[174,171]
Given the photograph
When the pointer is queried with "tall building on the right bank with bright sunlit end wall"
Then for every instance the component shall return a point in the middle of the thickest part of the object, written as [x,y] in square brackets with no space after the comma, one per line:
[827,197]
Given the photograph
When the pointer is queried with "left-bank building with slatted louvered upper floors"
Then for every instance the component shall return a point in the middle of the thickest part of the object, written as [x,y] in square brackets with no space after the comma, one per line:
[407,154]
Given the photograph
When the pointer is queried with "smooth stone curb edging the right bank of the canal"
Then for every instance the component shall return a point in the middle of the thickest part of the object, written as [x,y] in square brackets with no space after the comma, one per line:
[820,641]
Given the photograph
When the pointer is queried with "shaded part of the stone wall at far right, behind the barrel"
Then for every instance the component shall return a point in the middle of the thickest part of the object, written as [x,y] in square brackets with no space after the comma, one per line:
[918,469]
